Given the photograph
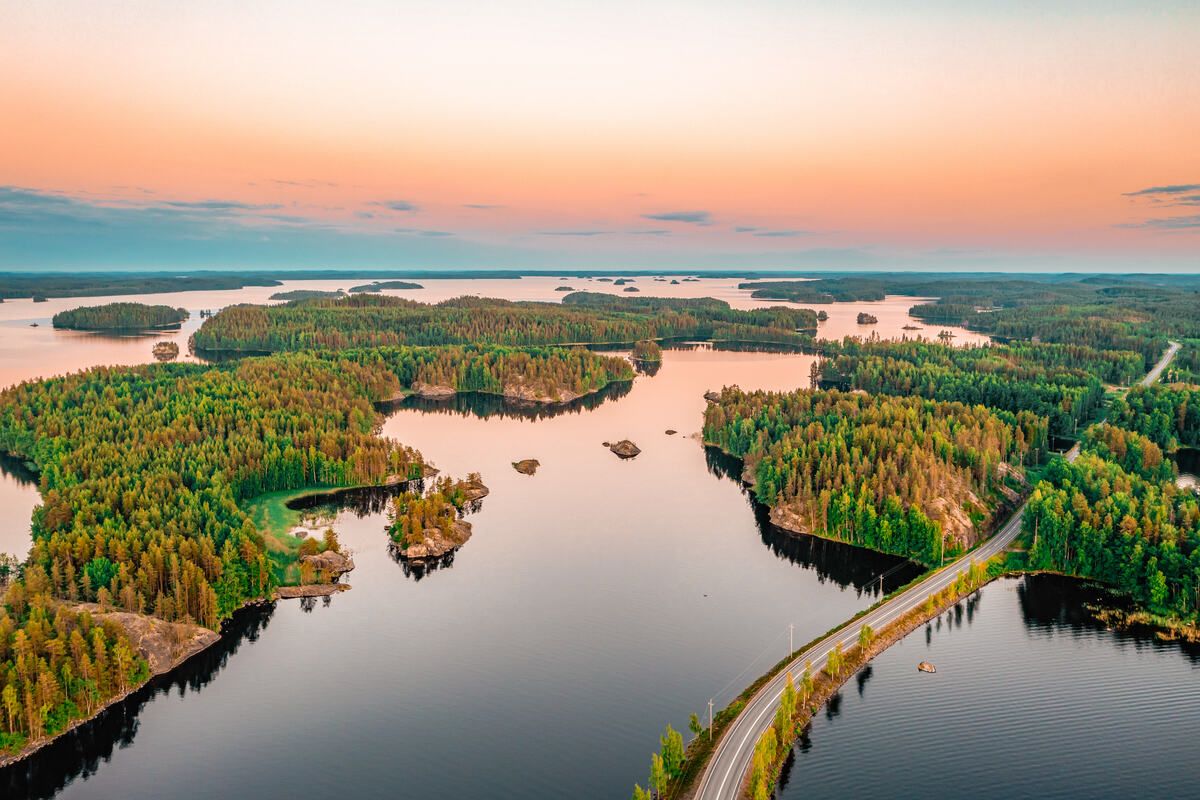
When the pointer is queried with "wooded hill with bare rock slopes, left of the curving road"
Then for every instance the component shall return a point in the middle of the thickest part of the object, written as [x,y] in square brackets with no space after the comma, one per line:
[903,476]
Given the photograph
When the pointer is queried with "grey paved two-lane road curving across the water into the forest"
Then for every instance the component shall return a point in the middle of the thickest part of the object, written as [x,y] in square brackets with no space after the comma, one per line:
[729,765]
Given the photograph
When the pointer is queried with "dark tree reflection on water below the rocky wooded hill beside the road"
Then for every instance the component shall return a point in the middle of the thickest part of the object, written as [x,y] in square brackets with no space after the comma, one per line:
[845,566]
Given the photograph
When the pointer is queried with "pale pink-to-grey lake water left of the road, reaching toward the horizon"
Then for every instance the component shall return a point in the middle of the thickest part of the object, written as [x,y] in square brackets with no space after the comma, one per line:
[597,601]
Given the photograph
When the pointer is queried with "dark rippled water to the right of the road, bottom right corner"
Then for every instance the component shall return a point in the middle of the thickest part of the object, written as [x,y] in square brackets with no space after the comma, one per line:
[1031,700]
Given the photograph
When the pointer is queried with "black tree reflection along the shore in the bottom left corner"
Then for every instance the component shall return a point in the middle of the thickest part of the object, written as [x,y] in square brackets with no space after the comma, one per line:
[80,754]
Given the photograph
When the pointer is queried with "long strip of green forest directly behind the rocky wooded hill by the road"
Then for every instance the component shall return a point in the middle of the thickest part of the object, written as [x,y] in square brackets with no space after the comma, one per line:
[1061,383]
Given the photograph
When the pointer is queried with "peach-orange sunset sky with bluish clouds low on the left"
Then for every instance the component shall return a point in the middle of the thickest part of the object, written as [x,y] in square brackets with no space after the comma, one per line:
[761,134]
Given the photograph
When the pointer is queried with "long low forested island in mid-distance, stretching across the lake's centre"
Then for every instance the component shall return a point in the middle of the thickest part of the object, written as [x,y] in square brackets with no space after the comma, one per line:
[376,321]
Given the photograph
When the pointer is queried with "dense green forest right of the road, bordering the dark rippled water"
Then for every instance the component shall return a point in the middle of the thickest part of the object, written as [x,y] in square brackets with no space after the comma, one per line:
[1131,530]
